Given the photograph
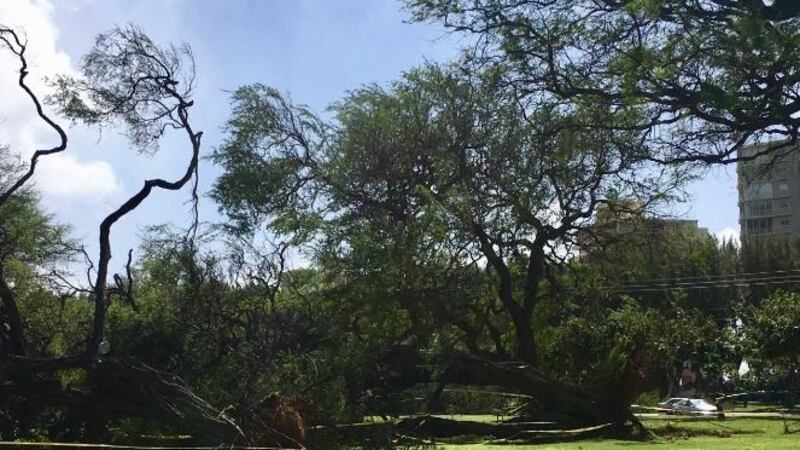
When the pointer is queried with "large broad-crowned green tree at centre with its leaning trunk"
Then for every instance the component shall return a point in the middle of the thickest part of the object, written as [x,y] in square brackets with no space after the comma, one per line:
[443,166]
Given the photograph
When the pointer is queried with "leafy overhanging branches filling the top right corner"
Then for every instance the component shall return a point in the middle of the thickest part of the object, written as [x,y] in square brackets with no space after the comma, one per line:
[707,76]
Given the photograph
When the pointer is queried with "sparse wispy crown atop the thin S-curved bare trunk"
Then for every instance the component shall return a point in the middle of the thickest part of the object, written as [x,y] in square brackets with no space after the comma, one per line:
[128,80]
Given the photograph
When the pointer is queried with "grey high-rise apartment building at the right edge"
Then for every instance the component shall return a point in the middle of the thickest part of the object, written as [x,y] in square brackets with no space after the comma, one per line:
[769,196]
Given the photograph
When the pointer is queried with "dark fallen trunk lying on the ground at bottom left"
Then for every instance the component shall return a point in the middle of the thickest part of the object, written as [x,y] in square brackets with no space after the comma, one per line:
[126,388]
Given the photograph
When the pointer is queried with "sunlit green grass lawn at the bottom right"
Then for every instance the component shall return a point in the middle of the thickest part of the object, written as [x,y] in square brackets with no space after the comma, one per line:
[679,433]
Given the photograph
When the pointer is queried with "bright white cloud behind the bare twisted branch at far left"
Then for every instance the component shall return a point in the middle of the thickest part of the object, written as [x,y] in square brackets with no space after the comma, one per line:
[20,127]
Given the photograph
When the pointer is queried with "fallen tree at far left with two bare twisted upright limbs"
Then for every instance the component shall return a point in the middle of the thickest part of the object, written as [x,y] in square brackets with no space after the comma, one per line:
[126,80]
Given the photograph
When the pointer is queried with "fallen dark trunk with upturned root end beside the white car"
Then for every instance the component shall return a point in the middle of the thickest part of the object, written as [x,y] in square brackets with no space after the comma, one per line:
[545,402]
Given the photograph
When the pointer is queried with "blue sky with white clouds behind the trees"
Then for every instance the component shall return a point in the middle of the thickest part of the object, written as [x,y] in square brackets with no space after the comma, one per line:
[314,50]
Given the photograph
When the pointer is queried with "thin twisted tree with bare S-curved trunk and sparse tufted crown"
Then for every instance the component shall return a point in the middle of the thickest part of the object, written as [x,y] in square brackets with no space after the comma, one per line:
[129,79]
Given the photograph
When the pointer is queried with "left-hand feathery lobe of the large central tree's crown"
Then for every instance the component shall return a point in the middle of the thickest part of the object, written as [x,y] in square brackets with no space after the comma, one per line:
[264,176]
